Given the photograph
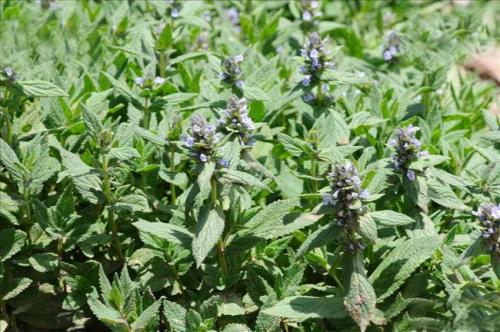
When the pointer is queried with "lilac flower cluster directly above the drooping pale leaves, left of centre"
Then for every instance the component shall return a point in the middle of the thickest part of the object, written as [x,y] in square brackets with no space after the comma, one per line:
[201,139]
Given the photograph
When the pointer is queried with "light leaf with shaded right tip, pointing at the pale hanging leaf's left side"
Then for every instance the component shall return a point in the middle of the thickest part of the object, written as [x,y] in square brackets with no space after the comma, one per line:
[172,233]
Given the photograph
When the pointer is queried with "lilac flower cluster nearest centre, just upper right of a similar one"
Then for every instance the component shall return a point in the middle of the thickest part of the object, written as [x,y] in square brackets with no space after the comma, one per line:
[235,119]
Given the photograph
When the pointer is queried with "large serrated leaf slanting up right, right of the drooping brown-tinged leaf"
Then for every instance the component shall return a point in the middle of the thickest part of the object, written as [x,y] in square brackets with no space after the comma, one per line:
[401,262]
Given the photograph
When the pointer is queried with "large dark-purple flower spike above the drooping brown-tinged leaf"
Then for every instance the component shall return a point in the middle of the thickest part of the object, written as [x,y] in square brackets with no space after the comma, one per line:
[346,194]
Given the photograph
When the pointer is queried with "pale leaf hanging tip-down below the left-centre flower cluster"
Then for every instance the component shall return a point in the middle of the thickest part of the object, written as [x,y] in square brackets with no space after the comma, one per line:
[209,228]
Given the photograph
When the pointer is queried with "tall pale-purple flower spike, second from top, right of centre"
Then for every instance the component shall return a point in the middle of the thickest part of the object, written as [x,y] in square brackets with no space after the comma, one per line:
[316,59]
